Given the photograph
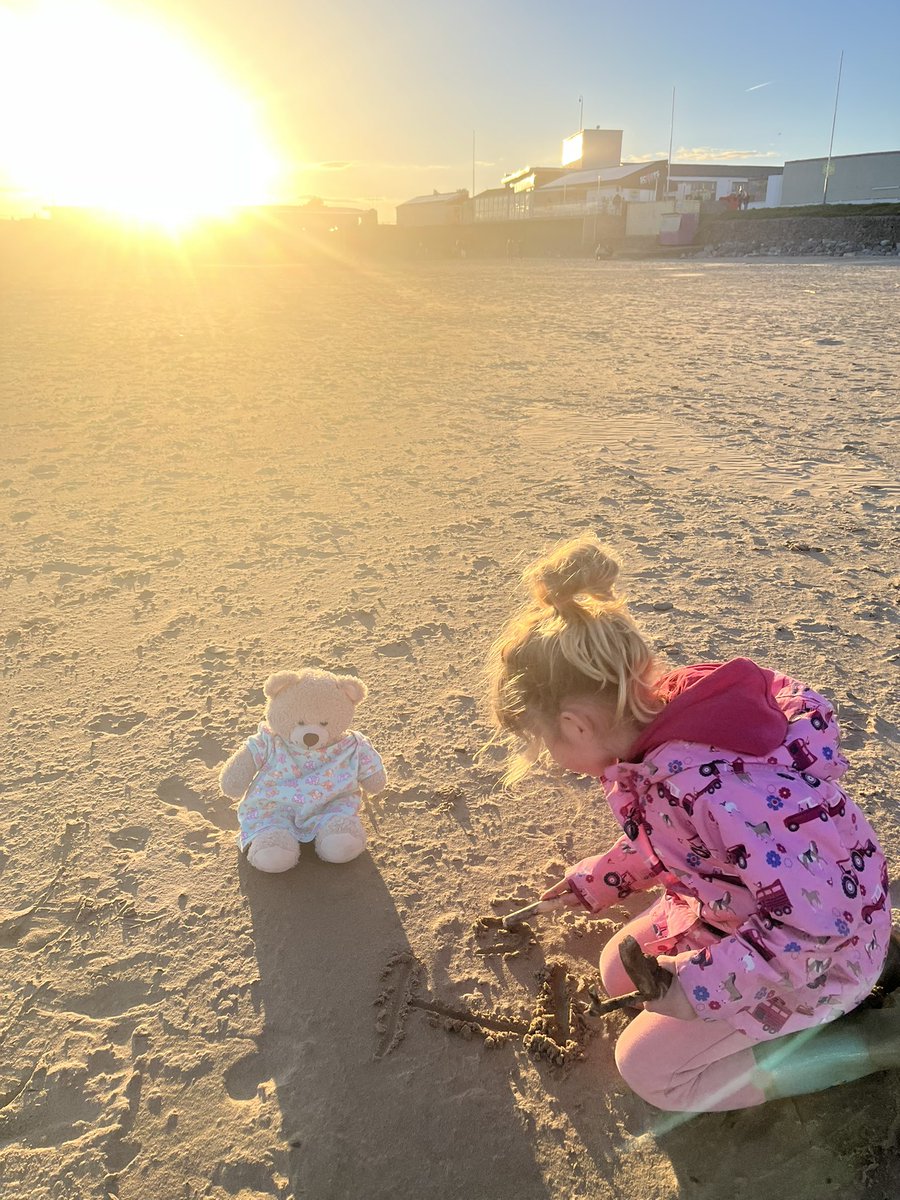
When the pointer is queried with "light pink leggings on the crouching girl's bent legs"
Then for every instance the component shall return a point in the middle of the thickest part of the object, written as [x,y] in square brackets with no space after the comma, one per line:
[679,1066]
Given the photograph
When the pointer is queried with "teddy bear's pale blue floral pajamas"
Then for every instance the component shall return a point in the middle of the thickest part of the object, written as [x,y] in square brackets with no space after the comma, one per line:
[296,789]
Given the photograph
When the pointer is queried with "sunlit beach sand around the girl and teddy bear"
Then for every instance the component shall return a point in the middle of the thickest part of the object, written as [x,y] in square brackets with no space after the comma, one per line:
[215,473]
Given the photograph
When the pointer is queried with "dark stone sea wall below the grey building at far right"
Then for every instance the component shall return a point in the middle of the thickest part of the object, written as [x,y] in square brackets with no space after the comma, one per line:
[869,236]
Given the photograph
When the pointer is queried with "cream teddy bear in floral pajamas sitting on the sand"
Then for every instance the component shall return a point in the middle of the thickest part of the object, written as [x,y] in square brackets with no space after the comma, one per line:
[299,778]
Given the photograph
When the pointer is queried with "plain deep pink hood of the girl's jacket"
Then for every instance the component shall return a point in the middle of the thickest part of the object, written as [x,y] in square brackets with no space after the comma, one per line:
[730,706]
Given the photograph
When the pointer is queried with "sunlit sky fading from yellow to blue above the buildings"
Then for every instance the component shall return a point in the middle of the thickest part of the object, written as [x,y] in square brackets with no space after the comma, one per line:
[371,103]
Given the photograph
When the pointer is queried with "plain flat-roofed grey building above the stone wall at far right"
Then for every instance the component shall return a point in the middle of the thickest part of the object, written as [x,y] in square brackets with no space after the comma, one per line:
[853,179]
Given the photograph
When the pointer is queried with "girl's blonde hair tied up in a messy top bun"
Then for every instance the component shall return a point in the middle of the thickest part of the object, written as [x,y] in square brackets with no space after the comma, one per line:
[575,639]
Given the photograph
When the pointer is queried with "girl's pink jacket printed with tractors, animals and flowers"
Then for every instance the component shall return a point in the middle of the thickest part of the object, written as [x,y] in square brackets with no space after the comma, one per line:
[769,853]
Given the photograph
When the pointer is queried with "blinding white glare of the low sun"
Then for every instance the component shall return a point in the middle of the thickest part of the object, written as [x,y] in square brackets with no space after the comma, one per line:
[109,110]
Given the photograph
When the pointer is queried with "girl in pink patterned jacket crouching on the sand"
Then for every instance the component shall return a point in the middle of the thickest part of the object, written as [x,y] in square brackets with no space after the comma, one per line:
[775,921]
